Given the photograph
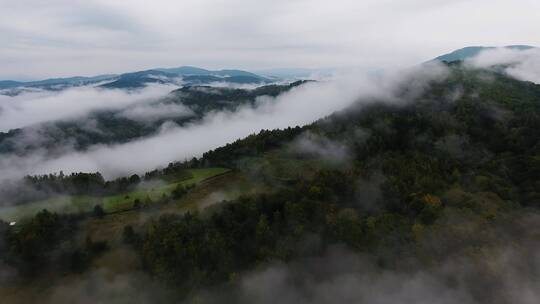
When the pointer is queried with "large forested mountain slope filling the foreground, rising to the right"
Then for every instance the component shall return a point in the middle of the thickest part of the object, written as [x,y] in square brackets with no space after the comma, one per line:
[385,192]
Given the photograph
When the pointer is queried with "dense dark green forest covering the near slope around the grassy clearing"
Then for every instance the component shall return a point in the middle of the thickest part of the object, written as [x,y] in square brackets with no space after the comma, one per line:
[446,174]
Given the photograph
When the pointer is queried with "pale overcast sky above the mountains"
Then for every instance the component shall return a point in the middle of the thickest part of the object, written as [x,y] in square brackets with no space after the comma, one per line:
[69,37]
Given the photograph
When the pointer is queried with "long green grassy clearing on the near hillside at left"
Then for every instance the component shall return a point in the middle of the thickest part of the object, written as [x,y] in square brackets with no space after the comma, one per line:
[113,203]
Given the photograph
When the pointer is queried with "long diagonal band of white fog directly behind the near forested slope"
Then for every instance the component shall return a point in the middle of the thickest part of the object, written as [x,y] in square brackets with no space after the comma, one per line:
[299,106]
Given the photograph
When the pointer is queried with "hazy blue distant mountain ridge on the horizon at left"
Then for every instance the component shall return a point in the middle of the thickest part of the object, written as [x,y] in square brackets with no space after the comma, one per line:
[140,78]
